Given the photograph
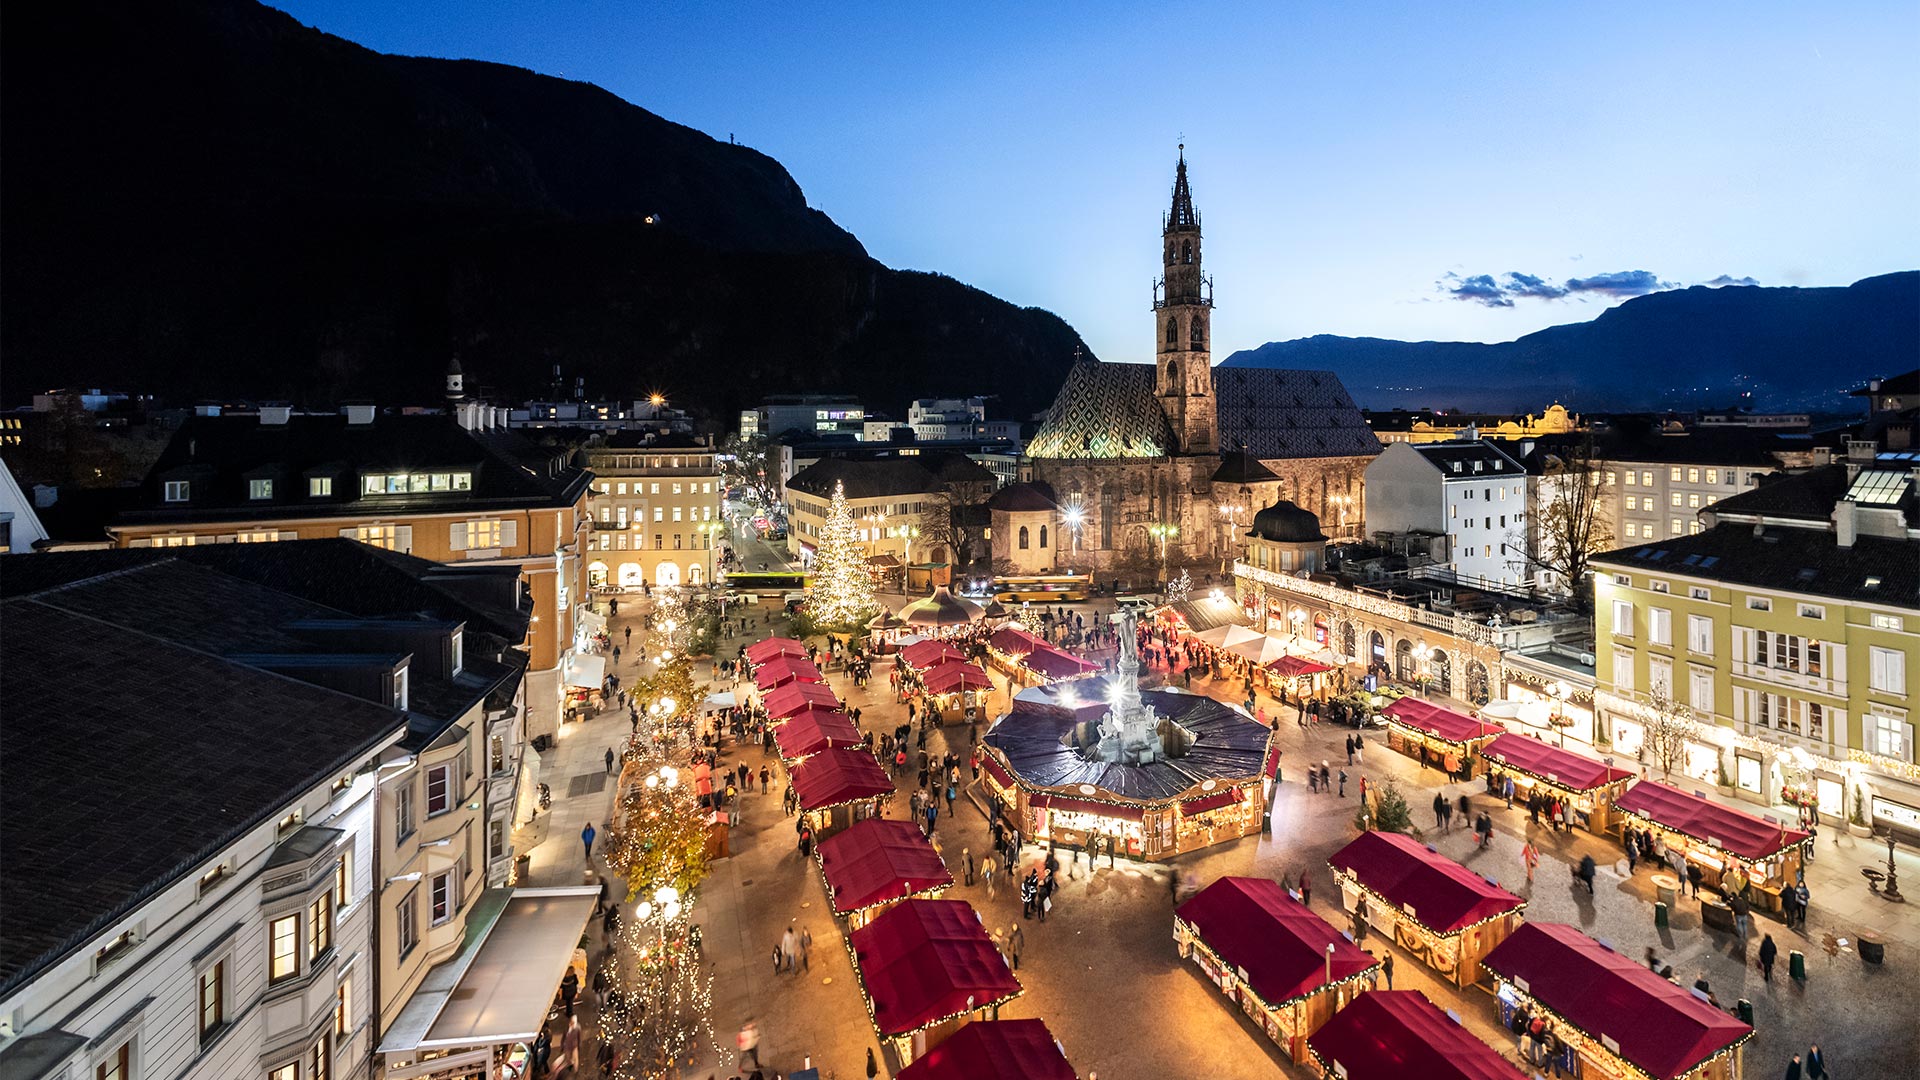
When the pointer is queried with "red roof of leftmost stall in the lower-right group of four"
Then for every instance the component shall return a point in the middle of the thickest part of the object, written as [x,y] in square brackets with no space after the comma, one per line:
[1253,925]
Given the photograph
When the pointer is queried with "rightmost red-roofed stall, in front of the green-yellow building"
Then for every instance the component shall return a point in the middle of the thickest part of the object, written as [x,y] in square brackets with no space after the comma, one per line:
[1716,837]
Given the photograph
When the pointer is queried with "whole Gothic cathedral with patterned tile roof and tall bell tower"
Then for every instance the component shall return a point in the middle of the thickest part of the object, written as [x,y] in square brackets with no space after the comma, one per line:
[1168,464]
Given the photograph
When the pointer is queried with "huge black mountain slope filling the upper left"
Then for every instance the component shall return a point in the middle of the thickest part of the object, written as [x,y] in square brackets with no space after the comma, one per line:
[206,199]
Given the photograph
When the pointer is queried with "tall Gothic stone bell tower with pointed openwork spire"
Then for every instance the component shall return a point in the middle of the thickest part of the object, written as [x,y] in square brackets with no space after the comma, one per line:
[1184,308]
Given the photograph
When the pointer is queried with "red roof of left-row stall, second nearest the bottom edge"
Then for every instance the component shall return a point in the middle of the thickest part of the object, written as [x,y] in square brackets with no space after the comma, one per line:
[923,960]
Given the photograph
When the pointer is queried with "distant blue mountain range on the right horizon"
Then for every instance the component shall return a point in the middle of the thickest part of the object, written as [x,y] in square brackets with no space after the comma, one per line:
[1775,349]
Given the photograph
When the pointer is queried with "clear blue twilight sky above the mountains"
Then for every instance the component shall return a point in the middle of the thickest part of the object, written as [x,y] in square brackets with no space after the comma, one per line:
[1360,168]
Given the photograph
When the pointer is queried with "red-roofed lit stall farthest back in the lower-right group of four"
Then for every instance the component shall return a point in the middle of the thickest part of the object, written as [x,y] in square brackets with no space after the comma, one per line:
[1439,912]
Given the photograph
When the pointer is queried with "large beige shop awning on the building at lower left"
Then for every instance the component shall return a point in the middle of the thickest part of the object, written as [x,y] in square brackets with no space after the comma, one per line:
[500,985]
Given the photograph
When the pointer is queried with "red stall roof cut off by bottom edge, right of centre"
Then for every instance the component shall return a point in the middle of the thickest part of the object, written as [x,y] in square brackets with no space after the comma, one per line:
[1397,1035]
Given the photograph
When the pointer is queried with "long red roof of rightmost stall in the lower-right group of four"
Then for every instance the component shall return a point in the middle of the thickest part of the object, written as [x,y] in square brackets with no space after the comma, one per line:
[1658,1025]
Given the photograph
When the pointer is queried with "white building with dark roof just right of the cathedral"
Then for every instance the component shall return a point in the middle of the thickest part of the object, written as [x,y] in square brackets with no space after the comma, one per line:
[1468,491]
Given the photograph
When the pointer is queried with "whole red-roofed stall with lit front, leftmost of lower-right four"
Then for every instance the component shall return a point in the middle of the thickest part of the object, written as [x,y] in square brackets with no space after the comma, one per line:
[1284,966]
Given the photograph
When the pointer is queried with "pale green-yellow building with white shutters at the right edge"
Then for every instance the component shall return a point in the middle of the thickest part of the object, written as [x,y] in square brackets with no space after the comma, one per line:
[1788,627]
